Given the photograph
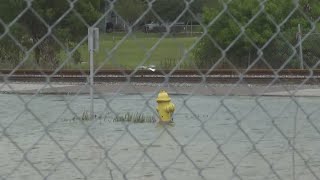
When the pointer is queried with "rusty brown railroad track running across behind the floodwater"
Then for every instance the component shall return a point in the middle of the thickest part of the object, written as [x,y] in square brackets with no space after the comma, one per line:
[181,76]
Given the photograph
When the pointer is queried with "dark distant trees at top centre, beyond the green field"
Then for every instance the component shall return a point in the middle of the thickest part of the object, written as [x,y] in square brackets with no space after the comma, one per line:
[167,10]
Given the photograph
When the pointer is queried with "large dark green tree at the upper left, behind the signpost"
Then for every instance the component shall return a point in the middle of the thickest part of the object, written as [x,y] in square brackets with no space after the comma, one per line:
[45,21]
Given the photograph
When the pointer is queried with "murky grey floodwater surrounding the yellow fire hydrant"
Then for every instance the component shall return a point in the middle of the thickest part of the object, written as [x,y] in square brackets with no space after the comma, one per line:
[213,138]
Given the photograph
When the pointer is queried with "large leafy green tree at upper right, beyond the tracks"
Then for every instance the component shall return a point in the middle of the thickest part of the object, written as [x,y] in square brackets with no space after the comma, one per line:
[259,25]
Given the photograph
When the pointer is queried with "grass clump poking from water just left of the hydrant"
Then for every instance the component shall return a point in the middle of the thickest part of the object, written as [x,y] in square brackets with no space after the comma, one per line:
[135,118]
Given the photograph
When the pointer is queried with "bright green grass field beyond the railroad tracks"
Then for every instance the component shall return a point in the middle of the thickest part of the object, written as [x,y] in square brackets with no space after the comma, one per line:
[129,52]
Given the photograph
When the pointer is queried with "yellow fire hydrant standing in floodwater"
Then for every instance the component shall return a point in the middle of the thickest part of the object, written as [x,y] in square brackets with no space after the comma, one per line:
[165,107]
